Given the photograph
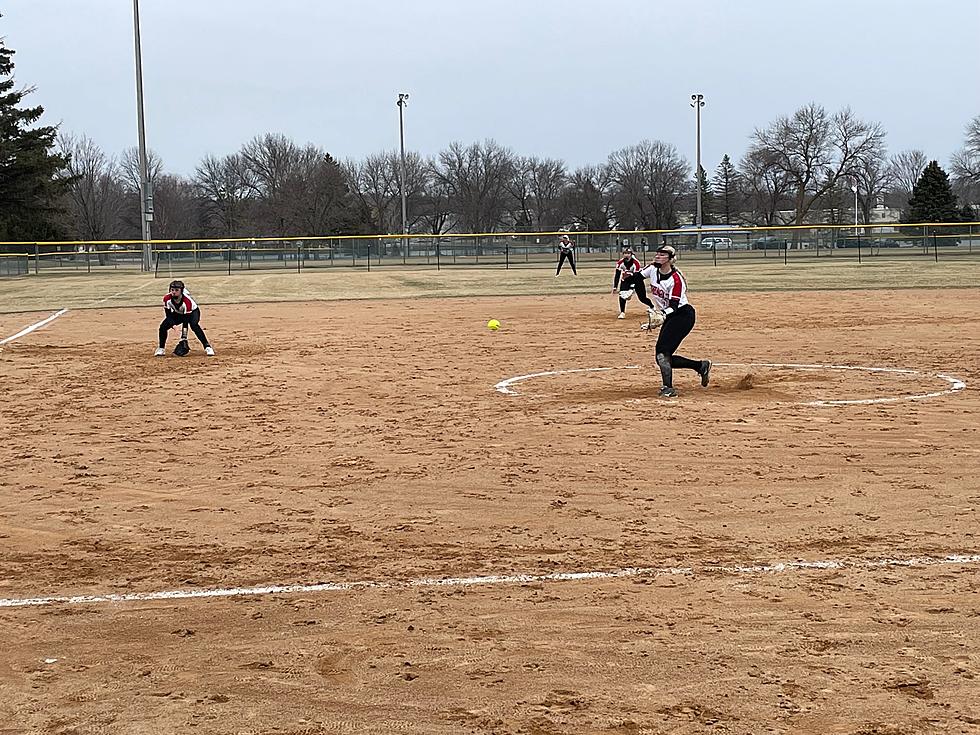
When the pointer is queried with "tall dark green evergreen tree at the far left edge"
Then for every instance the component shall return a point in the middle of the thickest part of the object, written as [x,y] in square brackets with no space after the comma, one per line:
[30,185]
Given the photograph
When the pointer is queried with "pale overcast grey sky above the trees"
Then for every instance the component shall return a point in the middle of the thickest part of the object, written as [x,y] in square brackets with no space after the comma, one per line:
[570,79]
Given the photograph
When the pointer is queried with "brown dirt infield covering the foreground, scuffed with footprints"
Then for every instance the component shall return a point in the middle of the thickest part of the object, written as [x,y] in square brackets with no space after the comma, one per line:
[363,444]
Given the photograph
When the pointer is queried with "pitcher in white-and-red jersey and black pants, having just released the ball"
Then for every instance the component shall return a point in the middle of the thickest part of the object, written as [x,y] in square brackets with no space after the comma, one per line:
[676,317]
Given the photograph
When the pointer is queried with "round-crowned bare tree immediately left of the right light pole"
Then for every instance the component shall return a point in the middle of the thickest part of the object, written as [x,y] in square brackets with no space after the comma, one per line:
[650,179]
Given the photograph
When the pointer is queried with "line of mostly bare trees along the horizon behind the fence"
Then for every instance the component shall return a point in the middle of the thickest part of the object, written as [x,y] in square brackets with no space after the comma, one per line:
[798,169]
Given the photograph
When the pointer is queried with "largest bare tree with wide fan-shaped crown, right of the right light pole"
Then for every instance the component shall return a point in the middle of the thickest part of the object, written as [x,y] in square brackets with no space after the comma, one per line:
[813,150]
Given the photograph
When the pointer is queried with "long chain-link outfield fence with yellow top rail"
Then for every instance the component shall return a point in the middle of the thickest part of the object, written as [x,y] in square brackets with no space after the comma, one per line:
[717,245]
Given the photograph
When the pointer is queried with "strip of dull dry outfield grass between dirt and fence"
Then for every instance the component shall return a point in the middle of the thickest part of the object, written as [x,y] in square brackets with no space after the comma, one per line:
[48,291]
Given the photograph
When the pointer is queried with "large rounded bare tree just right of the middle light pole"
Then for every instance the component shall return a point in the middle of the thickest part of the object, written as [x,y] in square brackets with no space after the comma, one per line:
[476,177]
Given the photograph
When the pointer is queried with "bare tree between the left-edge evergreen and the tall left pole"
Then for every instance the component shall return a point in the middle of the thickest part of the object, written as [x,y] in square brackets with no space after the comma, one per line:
[95,196]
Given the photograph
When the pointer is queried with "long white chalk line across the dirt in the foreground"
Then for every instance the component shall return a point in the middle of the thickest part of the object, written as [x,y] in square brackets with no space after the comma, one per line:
[291,589]
